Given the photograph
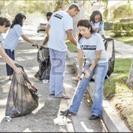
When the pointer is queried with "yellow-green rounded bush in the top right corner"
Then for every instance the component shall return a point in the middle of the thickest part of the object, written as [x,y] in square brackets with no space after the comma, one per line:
[122,11]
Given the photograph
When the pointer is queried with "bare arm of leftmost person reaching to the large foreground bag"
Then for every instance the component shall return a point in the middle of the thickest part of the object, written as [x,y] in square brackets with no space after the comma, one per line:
[8,60]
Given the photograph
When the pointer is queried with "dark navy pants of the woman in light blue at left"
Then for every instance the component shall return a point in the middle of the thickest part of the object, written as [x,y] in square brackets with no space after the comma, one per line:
[12,56]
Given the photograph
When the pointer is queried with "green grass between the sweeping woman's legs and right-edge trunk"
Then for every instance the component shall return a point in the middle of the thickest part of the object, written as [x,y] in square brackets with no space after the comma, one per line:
[119,76]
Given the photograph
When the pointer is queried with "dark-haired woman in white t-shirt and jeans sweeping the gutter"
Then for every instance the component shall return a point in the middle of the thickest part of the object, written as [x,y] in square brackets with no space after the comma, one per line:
[91,47]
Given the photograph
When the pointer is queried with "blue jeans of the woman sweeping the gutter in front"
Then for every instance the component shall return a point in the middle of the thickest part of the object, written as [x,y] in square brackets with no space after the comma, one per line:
[100,73]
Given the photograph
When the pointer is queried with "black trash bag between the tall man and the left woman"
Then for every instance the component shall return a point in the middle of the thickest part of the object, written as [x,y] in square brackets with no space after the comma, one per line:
[43,59]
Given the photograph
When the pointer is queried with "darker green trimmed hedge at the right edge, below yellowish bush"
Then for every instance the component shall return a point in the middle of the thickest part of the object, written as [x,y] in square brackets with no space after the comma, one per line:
[123,29]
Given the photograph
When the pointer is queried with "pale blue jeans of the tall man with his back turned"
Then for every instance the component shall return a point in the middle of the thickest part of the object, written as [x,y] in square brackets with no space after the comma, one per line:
[57,59]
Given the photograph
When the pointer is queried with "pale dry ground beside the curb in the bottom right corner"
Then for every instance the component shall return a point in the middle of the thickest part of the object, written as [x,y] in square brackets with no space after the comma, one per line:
[123,103]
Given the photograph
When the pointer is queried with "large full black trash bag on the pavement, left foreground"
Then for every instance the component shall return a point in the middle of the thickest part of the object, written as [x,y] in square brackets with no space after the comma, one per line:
[22,97]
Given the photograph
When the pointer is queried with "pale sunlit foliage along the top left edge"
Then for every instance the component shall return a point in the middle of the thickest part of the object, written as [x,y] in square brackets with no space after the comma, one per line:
[26,6]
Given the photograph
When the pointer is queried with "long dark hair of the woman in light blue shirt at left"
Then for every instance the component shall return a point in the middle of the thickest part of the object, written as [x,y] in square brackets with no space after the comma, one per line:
[18,19]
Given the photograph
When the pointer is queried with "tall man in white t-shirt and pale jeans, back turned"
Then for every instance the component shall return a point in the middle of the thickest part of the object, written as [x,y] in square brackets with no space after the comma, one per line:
[59,29]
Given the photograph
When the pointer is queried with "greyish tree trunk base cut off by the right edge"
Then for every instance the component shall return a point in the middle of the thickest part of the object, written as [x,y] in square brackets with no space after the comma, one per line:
[130,78]
